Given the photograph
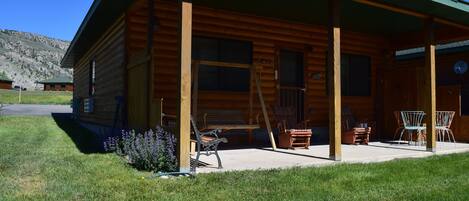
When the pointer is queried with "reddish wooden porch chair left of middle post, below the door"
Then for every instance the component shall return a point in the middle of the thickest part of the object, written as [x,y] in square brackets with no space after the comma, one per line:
[292,133]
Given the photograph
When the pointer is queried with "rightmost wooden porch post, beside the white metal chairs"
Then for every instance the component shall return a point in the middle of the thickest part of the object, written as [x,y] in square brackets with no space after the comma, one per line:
[429,84]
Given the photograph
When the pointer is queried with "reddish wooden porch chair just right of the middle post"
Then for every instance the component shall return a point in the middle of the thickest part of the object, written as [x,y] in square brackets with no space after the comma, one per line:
[353,132]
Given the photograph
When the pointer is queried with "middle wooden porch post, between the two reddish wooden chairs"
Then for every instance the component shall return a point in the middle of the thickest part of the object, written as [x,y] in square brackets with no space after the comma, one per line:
[335,110]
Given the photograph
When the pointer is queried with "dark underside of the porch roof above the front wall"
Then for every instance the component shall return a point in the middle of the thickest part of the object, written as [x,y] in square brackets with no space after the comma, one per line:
[354,16]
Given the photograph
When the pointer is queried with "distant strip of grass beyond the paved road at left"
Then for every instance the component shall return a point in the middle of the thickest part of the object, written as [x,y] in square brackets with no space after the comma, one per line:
[36,97]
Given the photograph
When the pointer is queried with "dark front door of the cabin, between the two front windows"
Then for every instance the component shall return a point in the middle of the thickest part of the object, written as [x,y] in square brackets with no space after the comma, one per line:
[291,81]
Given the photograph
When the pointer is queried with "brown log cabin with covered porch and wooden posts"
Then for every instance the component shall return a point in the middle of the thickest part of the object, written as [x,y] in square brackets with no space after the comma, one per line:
[136,59]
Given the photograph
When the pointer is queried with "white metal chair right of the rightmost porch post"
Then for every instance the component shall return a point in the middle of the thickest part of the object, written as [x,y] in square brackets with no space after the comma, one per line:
[443,125]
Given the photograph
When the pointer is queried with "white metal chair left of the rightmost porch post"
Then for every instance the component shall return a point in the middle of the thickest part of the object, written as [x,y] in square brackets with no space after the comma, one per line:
[412,124]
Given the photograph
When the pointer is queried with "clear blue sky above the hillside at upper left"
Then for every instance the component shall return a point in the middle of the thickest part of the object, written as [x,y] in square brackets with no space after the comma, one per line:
[53,18]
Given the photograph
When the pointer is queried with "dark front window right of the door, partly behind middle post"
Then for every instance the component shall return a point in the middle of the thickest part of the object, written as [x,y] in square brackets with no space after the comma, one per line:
[355,75]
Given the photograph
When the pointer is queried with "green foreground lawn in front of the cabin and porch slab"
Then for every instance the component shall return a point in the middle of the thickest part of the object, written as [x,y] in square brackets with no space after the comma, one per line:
[39,161]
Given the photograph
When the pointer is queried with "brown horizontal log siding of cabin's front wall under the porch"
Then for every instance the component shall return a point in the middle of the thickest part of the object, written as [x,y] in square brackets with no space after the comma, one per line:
[267,35]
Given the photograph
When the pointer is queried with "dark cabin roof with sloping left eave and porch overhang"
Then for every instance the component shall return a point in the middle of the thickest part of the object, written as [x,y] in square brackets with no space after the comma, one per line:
[355,16]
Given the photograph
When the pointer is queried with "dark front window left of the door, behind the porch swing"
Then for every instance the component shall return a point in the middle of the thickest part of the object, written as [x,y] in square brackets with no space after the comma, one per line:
[217,78]
